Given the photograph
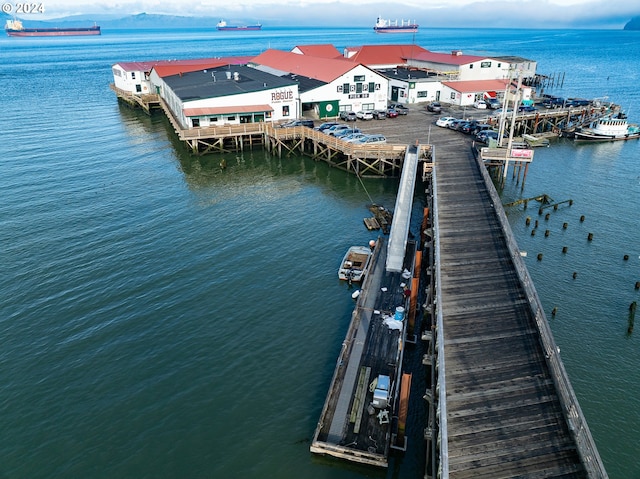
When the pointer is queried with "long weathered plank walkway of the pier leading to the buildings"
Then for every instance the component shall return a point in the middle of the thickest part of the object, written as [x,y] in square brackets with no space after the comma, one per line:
[506,406]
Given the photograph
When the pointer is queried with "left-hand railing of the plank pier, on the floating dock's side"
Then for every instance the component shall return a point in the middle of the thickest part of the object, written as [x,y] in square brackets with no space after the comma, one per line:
[442,386]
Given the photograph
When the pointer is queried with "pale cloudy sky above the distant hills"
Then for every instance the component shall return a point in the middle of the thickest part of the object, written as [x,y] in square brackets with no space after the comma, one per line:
[429,13]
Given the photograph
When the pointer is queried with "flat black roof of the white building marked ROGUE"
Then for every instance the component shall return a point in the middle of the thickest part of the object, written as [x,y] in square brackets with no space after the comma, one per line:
[223,81]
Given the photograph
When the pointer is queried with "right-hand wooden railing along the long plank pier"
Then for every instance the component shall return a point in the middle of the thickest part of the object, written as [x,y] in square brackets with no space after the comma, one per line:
[576,421]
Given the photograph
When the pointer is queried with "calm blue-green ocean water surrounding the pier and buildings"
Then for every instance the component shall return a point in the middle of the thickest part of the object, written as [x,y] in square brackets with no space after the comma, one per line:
[160,318]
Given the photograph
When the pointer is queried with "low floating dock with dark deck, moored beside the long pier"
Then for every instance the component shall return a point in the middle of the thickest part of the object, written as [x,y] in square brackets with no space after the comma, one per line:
[349,426]
